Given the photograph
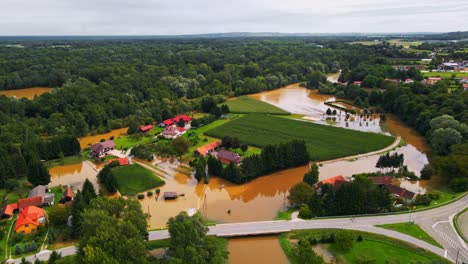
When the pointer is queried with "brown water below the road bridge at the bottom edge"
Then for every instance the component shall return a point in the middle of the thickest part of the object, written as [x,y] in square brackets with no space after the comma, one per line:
[255,250]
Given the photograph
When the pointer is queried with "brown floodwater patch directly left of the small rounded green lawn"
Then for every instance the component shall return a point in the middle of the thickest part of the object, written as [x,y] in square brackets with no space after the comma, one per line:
[74,175]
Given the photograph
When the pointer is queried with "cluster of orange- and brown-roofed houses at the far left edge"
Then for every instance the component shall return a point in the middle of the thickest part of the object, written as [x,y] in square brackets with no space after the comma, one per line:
[30,212]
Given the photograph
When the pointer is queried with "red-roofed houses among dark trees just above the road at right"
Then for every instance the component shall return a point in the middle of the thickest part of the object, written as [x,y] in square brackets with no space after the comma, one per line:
[399,193]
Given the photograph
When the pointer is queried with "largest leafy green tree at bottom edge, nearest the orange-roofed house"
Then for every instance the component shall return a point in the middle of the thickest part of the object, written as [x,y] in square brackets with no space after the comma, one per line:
[120,225]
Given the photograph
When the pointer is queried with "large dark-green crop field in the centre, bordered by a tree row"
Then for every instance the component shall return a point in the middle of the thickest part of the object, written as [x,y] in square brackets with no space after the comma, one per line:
[323,142]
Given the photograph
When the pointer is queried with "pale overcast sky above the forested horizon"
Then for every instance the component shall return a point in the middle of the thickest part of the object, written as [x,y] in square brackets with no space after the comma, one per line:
[172,17]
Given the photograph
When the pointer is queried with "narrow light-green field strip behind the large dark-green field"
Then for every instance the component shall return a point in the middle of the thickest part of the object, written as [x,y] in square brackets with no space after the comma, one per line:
[245,104]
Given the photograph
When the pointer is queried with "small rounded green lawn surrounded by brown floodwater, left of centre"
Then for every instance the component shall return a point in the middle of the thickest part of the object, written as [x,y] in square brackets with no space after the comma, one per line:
[133,179]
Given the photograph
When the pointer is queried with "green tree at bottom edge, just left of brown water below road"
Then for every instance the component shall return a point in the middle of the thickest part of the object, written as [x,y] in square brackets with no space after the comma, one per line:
[189,243]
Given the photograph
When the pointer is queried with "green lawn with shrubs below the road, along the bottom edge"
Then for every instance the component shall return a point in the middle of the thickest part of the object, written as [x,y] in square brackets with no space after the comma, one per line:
[380,249]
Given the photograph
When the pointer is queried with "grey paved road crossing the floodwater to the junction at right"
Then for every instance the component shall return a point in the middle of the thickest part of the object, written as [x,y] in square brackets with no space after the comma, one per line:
[429,220]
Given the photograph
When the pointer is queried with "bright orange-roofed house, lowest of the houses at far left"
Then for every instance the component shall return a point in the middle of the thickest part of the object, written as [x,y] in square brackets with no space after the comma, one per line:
[29,220]
